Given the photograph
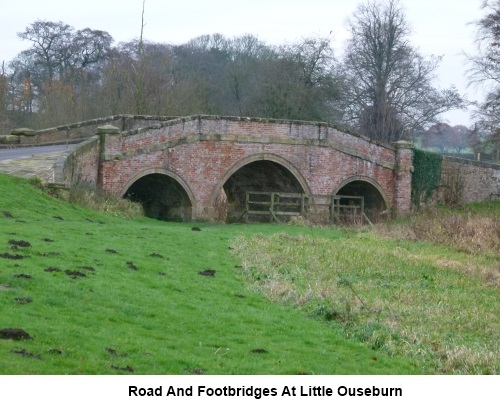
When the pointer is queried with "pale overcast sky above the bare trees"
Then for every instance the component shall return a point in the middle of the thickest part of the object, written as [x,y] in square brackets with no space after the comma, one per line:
[440,27]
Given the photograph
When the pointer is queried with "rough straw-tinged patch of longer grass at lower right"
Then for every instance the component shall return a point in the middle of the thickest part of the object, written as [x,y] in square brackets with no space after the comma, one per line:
[426,302]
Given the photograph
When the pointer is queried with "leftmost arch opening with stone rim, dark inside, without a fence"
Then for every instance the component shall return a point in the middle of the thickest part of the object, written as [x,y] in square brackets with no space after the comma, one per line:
[163,194]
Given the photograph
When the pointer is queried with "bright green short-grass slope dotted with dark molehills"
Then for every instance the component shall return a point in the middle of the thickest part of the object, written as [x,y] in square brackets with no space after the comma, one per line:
[163,318]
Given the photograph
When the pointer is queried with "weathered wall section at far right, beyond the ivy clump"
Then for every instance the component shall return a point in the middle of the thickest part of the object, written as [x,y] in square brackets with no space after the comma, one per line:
[479,181]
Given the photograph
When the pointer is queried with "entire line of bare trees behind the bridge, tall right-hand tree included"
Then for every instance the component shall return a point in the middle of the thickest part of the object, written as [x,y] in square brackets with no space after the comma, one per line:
[381,87]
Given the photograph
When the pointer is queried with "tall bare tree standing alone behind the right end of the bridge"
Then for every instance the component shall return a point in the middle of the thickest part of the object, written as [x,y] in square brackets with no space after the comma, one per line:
[388,89]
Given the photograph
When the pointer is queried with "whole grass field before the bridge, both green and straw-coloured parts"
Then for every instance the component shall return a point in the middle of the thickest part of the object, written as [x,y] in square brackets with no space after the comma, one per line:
[98,294]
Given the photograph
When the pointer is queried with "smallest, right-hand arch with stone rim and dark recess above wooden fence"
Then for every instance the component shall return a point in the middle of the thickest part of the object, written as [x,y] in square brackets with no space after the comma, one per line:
[375,198]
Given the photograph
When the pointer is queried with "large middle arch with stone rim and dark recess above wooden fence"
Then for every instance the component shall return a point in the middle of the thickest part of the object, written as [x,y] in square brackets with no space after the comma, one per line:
[259,172]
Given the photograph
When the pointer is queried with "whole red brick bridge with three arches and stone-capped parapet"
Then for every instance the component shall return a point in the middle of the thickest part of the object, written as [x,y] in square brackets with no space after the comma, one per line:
[184,167]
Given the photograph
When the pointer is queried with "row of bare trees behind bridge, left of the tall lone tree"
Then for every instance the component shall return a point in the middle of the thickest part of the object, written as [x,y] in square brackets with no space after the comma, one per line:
[78,75]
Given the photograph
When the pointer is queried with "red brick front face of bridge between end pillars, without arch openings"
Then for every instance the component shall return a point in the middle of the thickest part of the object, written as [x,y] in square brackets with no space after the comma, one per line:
[202,153]
